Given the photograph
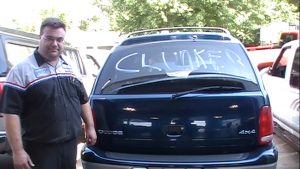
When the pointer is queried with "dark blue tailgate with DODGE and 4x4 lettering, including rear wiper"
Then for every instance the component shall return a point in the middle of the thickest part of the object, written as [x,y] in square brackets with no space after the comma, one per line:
[218,118]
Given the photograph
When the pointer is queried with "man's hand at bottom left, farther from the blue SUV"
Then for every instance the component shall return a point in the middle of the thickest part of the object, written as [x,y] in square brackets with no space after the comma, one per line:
[22,160]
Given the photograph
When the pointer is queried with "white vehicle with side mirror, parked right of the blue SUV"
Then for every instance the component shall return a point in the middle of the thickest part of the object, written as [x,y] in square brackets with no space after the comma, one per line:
[281,80]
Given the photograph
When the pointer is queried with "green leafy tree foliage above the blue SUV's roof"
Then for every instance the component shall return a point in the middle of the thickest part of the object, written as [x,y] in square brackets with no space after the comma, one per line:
[241,17]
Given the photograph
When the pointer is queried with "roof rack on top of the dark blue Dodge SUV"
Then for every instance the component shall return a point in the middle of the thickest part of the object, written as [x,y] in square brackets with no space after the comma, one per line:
[177,29]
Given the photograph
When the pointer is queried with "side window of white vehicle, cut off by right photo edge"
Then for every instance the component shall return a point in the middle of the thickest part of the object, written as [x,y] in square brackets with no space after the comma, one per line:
[294,80]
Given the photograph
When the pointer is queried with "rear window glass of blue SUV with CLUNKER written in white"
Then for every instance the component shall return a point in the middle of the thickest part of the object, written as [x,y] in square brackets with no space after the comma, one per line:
[180,59]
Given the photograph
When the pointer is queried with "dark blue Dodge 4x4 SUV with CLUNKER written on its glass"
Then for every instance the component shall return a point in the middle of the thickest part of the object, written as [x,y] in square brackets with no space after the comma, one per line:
[183,97]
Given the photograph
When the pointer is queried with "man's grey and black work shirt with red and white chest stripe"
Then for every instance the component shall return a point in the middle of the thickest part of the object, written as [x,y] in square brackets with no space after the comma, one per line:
[48,99]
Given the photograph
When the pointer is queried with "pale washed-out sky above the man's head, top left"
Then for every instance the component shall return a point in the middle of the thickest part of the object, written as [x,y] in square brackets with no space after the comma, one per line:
[27,12]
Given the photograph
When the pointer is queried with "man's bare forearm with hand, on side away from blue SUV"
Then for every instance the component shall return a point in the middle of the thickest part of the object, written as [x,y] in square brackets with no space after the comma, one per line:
[13,130]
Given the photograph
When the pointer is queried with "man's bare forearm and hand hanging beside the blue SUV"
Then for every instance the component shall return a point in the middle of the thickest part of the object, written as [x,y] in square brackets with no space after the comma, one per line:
[87,117]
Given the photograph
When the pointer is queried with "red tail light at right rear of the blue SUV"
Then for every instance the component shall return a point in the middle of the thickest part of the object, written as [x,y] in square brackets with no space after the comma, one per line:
[265,125]
